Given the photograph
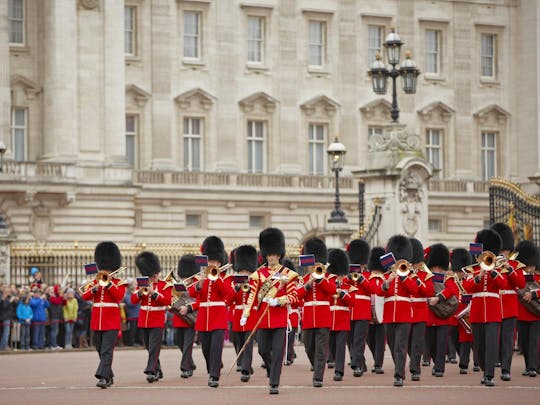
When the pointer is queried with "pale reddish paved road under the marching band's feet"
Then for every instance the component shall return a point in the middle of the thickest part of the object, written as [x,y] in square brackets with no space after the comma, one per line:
[67,378]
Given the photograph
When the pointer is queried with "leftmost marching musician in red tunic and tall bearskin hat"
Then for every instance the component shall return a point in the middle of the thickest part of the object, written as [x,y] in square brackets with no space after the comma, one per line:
[105,318]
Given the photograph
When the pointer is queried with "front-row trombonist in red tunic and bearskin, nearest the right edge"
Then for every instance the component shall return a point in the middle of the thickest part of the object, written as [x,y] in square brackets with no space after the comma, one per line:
[484,284]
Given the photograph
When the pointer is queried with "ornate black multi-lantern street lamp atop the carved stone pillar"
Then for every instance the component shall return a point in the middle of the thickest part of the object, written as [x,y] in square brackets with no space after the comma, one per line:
[408,72]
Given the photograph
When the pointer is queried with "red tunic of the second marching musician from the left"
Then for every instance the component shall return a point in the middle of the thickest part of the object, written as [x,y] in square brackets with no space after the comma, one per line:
[152,312]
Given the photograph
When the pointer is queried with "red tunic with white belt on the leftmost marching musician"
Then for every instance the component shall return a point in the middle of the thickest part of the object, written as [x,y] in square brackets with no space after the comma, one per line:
[105,308]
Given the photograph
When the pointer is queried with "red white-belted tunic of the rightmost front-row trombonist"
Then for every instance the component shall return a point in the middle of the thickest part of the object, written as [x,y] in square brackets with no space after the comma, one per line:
[486,301]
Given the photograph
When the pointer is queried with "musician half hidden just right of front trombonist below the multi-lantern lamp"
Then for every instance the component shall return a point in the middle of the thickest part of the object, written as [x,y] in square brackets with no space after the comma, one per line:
[417,339]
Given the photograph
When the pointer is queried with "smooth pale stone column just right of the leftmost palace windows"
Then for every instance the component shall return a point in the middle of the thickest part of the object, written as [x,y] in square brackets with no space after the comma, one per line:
[60,80]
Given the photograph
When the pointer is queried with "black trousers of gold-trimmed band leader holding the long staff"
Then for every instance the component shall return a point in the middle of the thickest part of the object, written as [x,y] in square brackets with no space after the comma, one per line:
[271,344]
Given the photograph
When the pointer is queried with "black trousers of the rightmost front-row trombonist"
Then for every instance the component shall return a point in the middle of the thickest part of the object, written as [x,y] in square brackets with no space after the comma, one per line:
[486,339]
